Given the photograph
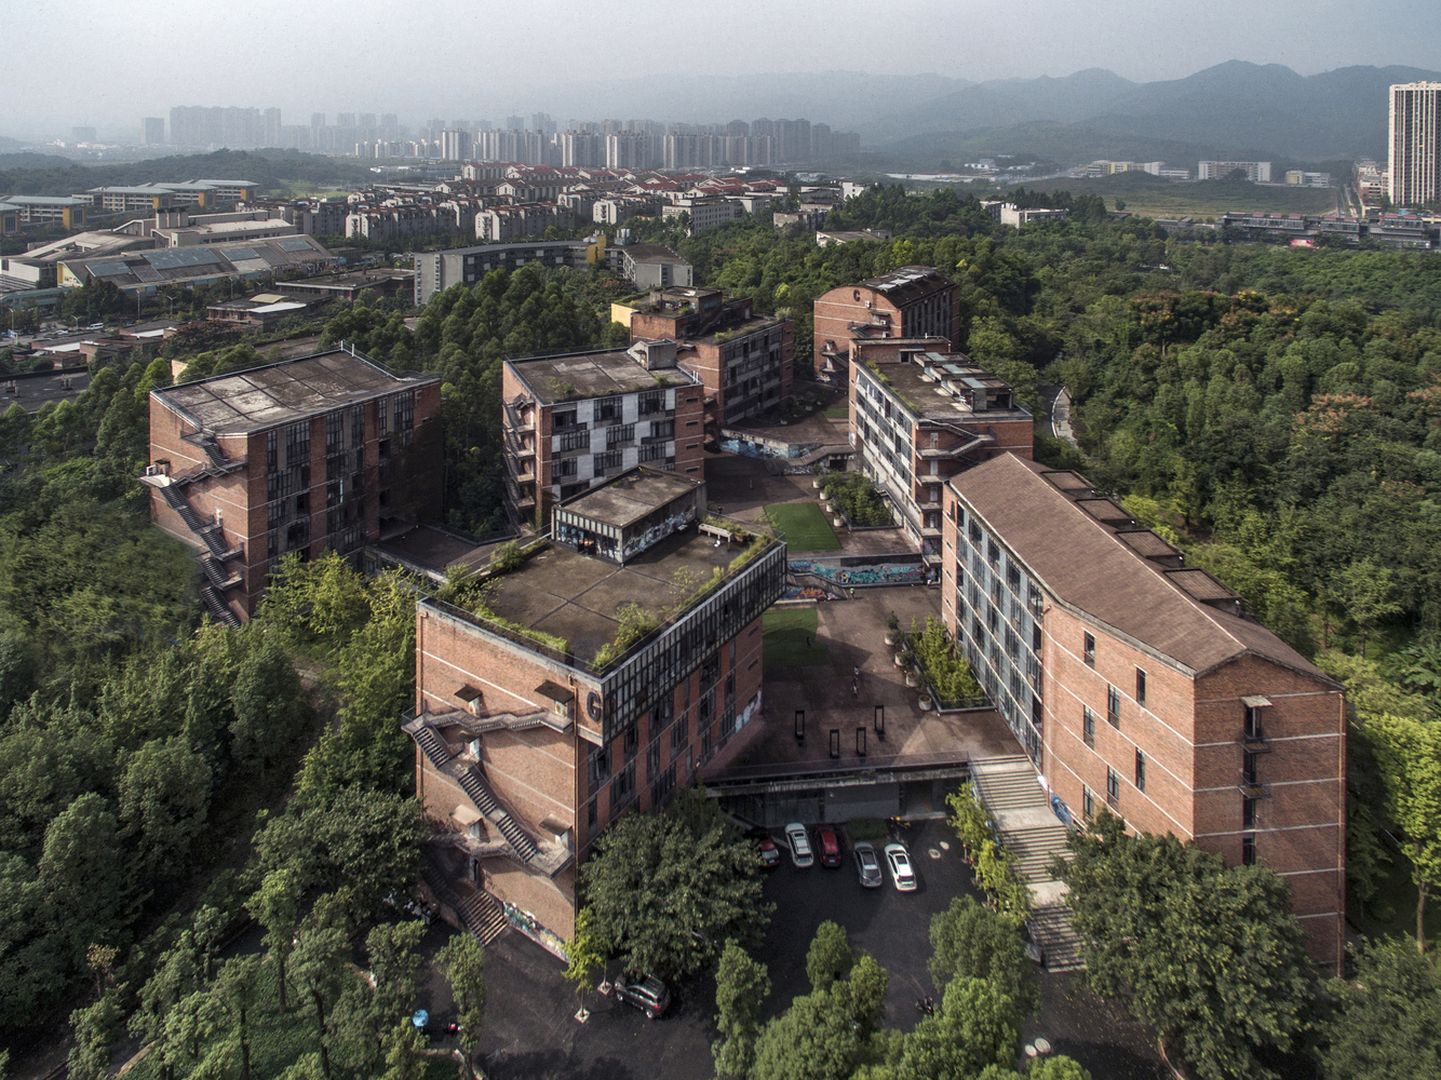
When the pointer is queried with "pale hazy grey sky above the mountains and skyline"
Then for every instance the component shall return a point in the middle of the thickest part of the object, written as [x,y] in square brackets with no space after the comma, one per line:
[109,64]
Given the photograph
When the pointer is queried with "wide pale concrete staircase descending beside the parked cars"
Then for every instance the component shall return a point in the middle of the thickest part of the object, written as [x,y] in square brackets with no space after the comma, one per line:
[1035,837]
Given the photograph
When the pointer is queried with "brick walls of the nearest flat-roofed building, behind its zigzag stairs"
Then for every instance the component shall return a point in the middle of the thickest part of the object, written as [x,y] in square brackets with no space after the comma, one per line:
[561,785]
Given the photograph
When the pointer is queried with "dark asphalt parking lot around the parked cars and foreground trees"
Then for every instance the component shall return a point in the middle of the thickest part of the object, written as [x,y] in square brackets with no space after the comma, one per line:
[530,1017]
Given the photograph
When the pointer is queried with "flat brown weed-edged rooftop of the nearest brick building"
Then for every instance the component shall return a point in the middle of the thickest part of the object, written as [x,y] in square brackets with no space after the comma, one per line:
[574,596]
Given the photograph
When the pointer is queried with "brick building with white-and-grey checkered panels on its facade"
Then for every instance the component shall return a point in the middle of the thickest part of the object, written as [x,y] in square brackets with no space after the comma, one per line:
[574,422]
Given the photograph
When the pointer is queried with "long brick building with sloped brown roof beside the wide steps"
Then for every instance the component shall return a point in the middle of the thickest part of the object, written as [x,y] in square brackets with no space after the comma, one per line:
[1136,681]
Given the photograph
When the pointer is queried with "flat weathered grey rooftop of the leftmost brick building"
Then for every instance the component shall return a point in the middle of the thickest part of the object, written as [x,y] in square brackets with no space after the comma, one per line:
[282,393]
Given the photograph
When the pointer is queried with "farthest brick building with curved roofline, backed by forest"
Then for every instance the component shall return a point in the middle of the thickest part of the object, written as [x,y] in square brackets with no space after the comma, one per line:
[911,302]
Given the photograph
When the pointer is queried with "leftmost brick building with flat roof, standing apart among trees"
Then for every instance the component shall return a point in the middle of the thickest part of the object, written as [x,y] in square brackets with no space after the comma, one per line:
[326,452]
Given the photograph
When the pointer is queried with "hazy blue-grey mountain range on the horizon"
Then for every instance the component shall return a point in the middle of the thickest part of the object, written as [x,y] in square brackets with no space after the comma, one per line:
[1236,109]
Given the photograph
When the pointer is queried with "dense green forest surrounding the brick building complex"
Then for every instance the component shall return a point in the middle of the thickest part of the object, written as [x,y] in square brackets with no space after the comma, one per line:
[1276,413]
